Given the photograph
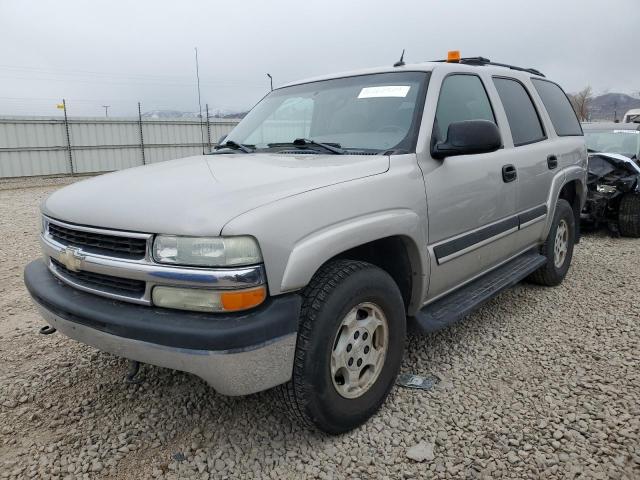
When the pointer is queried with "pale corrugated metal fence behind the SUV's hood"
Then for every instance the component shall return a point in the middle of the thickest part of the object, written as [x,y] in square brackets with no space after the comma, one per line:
[38,145]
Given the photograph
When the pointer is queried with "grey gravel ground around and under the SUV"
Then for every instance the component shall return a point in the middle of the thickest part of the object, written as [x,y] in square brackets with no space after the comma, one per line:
[540,383]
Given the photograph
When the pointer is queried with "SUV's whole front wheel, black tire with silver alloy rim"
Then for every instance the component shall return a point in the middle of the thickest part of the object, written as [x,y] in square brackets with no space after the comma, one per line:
[349,348]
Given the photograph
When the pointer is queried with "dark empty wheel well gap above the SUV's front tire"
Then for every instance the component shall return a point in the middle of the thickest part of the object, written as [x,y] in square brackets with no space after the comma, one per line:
[391,254]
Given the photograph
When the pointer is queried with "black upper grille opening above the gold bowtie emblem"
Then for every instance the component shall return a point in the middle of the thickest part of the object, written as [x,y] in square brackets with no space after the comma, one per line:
[100,243]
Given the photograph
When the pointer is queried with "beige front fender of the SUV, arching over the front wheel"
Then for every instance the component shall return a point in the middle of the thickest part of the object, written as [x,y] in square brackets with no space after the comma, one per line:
[298,234]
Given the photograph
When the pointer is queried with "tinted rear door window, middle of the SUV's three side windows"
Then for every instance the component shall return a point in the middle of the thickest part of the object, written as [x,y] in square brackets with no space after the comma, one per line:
[523,118]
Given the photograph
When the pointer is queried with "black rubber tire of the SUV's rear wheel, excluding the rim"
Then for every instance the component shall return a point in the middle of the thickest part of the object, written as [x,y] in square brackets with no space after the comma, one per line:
[551,275]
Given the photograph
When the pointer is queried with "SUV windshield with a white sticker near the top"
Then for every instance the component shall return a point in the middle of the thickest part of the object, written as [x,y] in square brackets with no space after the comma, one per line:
[369,113]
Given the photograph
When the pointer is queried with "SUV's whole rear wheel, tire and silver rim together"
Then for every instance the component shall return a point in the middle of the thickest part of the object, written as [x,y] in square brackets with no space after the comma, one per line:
[558,248]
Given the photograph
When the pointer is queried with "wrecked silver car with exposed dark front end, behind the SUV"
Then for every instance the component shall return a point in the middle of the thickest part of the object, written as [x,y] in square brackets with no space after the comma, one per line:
[613,197]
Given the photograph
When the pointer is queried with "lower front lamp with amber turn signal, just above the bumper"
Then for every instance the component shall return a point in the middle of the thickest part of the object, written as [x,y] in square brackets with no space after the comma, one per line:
[204,300]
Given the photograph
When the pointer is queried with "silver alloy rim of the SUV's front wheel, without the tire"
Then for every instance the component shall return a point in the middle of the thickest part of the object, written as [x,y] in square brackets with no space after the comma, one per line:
[359,350]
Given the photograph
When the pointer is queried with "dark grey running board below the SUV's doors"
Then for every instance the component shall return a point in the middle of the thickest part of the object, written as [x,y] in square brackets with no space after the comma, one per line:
[456,305]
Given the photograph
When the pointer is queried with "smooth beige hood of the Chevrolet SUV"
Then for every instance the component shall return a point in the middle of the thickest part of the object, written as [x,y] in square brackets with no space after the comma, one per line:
[199,195]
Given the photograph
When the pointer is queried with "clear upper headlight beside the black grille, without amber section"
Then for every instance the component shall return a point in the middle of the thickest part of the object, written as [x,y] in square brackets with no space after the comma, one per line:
[206,251]
